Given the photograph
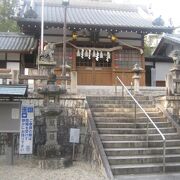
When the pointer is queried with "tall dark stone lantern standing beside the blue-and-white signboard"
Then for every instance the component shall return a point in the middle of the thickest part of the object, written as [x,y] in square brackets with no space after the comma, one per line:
[50,152]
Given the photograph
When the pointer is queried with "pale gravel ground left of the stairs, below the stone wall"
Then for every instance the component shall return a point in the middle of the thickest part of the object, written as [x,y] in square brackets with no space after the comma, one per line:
[24,169]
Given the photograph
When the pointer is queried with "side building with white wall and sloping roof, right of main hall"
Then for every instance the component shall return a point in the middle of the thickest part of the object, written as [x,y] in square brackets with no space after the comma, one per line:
[158,65]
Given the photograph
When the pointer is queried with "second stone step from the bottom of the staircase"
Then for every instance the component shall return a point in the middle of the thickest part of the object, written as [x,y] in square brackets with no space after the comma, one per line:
[141,159]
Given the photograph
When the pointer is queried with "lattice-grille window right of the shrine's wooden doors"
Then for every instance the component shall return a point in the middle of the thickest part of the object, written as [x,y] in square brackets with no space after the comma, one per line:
[126,59]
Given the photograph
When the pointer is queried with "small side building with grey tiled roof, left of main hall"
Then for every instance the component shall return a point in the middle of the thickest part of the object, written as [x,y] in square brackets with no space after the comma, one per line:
[17,52]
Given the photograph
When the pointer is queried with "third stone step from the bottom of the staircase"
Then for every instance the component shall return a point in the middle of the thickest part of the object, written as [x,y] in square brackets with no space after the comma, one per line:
[141,151]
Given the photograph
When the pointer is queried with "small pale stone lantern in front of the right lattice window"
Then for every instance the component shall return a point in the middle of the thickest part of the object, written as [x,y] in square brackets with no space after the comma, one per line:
[136,77]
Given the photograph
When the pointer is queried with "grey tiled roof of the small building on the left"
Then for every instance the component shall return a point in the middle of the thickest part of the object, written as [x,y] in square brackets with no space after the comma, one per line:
[17,42]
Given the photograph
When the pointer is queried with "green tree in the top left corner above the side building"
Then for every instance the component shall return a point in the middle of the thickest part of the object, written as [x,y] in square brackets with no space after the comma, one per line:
[6,13]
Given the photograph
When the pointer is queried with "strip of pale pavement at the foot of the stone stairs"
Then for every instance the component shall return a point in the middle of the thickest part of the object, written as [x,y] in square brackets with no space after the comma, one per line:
[167,176]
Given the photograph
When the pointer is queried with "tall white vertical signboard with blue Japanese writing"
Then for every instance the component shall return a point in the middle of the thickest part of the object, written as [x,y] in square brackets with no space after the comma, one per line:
[26,129]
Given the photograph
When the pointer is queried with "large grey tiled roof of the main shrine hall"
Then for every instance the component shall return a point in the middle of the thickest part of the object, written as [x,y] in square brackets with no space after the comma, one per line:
[120,16]
